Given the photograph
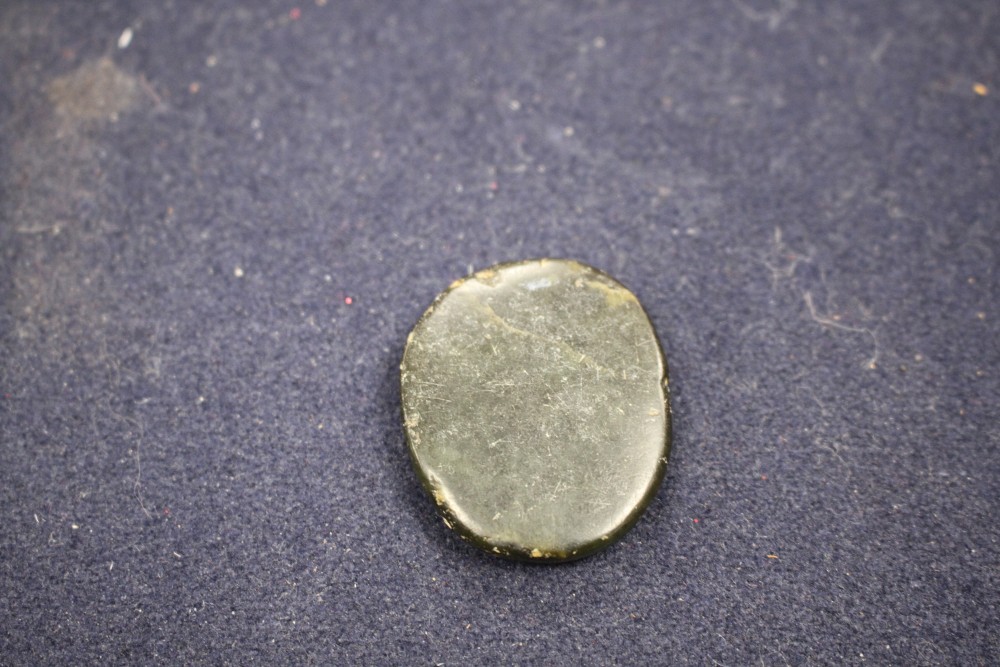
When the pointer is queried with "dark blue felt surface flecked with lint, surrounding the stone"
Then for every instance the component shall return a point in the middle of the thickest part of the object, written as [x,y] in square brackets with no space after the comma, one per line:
[202,455]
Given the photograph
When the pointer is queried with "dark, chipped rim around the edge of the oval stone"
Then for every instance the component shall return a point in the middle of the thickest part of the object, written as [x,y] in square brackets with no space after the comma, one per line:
[515,552]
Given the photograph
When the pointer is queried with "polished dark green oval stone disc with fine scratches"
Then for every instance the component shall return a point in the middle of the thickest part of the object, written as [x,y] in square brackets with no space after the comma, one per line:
[536,409]
